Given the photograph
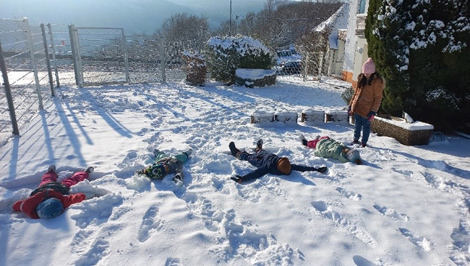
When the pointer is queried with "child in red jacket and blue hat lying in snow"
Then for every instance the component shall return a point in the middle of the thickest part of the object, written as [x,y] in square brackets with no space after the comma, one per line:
[51,198]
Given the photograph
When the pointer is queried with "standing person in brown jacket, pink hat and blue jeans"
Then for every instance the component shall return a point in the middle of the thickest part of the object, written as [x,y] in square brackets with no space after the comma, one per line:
[366,100]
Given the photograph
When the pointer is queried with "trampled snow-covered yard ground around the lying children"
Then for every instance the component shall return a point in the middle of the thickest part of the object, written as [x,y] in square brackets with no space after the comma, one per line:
[407,205]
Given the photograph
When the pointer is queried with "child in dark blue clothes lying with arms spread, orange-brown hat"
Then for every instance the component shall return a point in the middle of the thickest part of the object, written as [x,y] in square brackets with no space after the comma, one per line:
[267,163]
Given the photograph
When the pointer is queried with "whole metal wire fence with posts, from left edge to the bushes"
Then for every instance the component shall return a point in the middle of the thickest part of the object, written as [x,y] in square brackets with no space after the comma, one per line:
[35,60]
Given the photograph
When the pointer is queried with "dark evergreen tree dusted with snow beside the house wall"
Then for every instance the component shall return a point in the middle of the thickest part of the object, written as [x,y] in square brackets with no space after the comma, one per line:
[421,47]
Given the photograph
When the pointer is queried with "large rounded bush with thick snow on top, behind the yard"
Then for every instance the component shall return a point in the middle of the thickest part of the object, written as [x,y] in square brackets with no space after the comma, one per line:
[226,54]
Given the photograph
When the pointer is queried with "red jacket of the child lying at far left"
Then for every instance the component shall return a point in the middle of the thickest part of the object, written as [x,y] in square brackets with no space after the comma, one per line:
[30,204]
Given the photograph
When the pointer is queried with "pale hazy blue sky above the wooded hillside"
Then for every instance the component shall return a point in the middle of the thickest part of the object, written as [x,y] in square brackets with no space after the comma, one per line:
[135,16]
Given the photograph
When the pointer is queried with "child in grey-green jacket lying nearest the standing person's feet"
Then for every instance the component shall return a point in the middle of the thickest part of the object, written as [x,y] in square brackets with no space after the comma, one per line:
[329,148]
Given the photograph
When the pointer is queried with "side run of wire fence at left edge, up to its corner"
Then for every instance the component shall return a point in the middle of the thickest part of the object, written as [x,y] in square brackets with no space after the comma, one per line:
[24,74]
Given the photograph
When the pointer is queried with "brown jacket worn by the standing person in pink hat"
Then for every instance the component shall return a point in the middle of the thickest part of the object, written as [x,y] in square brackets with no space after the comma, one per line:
[367,98]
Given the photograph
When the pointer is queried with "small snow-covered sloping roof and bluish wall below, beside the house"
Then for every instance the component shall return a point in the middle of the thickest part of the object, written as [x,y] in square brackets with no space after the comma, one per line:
[337,21]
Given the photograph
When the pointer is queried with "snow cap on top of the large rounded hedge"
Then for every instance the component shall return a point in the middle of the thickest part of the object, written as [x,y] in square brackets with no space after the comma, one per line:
[244,45]
